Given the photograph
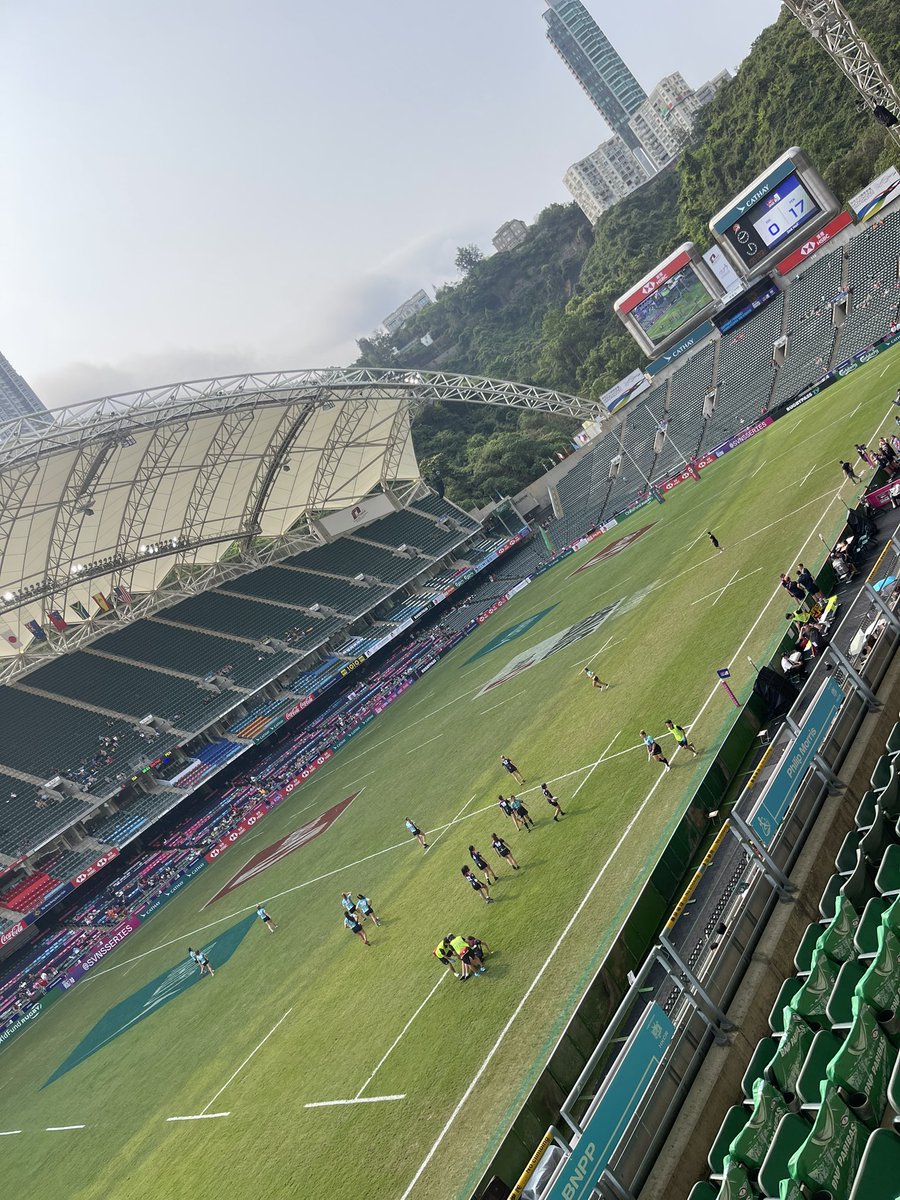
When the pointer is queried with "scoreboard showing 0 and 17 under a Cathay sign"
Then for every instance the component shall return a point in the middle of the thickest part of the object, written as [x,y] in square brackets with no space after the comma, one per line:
[775,214]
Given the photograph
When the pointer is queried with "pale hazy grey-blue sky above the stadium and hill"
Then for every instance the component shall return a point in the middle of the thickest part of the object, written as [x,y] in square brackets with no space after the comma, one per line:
[199,188]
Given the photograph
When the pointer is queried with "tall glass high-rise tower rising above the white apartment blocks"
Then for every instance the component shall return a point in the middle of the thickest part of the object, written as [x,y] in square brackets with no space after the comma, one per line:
[596,64]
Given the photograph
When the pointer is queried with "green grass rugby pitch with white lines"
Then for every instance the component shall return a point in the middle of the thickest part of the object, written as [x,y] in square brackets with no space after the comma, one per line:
[311,1015]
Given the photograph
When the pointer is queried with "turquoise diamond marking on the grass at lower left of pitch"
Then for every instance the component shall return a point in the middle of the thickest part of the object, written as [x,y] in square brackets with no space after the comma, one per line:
[154,997]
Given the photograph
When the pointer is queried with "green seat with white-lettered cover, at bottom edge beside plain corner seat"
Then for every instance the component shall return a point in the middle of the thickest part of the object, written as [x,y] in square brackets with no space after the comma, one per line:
[829,1160]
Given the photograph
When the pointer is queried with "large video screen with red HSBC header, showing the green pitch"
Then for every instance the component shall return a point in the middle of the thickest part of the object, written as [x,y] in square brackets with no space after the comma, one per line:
[670,302]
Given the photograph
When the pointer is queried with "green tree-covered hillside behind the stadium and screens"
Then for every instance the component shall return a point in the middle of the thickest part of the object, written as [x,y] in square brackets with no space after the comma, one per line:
[543,313]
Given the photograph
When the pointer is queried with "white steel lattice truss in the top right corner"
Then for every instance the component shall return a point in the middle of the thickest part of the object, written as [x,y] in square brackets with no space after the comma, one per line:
[829,22]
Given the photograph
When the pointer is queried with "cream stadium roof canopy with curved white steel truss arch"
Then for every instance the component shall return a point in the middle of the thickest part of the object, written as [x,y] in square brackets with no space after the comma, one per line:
[169,491]
